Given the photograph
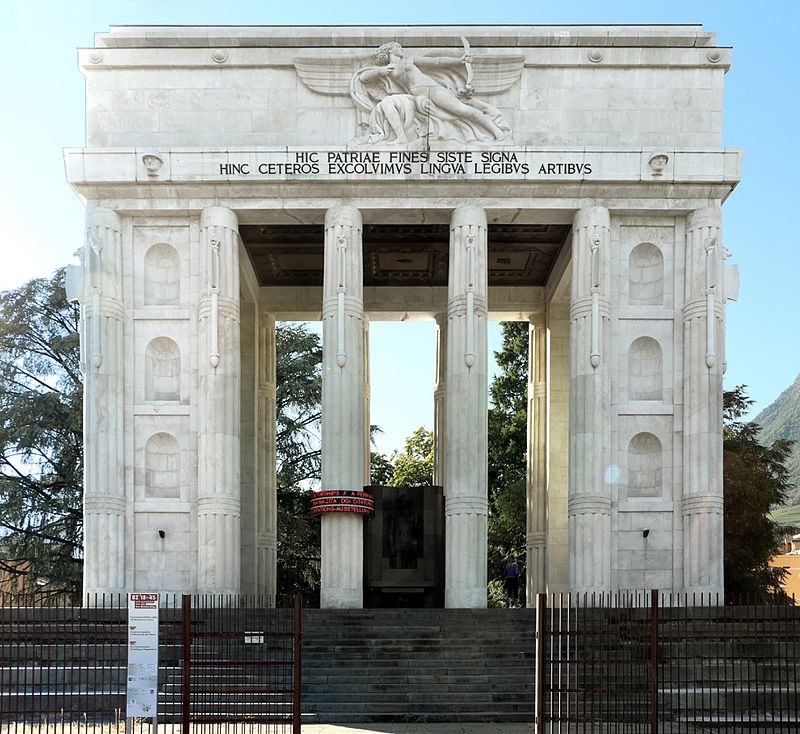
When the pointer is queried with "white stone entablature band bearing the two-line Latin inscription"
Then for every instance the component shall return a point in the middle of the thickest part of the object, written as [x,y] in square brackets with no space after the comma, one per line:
[305,178]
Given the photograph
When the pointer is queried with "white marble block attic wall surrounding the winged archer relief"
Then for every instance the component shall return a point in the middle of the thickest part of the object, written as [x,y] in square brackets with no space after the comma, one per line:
[577,87]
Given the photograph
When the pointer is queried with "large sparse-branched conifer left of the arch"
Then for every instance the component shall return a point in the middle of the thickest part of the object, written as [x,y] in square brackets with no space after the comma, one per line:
[41,441]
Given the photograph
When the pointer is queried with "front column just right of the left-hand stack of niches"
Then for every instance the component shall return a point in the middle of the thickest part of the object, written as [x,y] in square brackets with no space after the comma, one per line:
[218,490]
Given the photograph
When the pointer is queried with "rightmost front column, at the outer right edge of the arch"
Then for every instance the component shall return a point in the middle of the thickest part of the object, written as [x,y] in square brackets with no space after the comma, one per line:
[701,505]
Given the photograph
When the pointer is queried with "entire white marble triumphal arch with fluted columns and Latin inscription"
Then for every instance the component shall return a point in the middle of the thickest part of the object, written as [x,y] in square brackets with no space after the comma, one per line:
[571,177]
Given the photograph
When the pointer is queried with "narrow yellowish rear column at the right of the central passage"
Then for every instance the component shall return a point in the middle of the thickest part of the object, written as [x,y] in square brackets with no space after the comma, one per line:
[536,579]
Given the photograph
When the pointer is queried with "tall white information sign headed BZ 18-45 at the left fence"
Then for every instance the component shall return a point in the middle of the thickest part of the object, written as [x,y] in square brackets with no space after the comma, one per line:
[142,690]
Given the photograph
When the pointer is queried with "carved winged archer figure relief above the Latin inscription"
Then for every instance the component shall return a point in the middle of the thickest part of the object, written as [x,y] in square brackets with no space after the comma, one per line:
[433,95]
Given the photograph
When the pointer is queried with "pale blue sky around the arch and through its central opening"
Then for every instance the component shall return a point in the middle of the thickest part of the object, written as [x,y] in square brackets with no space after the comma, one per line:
[41,220]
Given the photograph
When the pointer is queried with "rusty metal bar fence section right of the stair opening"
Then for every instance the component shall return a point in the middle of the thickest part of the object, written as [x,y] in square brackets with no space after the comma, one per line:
[666,663]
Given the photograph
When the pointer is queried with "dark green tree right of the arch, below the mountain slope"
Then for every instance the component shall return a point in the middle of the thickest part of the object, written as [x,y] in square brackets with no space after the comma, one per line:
[755,479]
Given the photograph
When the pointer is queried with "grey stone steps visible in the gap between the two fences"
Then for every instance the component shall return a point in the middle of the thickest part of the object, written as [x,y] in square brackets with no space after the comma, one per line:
[418,665]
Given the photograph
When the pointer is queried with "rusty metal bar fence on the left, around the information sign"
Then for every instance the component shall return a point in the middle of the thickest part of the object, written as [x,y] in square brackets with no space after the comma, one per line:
[232,661]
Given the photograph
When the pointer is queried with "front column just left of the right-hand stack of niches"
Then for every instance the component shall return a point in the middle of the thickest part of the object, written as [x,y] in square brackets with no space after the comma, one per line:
[590,404]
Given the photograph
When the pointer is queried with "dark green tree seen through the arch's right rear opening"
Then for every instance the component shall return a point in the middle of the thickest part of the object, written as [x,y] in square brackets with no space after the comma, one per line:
[508,431]
